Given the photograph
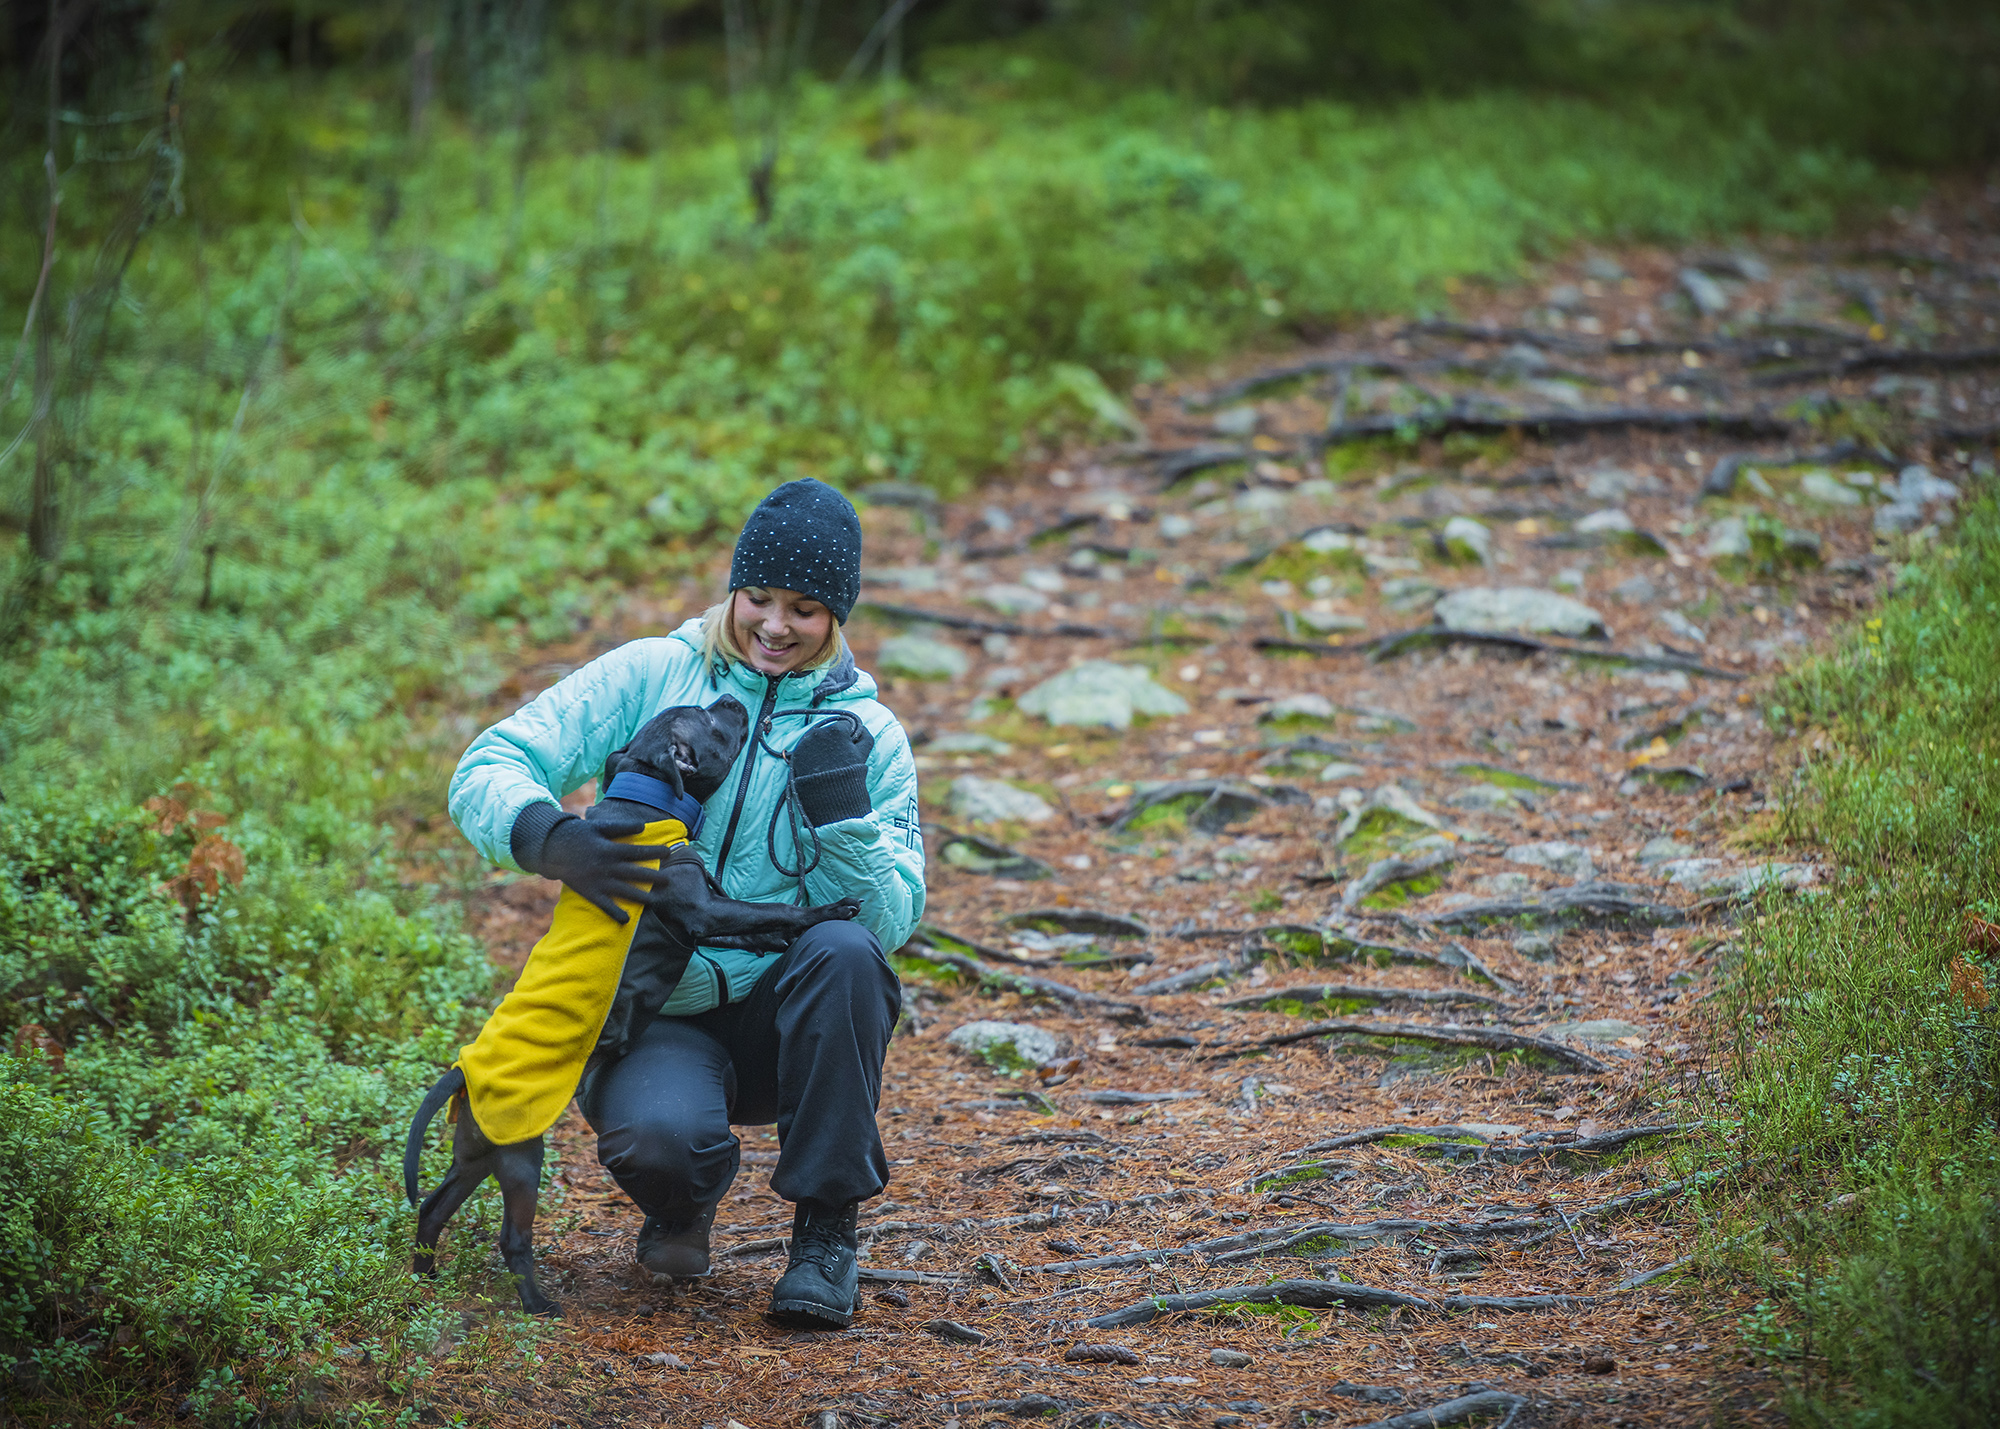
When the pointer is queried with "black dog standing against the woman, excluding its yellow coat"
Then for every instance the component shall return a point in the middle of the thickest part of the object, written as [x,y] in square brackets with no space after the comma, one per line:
[681,756]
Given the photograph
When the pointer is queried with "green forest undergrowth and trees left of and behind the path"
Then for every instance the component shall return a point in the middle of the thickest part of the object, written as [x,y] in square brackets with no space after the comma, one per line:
[355,349]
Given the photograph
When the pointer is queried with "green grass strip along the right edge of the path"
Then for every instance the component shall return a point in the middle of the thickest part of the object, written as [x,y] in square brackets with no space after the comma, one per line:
[1867,1042]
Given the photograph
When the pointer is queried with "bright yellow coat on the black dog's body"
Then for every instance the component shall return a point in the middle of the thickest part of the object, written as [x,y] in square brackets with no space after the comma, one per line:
[527,1062]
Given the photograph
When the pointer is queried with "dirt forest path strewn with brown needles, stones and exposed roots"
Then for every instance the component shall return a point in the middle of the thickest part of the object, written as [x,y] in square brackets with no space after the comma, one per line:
[1581,830]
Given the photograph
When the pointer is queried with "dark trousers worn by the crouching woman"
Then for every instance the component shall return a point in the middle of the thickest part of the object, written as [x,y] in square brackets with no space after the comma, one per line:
[803,1052]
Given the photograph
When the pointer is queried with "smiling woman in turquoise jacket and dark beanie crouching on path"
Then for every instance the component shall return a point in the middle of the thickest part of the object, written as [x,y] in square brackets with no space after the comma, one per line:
[821,806]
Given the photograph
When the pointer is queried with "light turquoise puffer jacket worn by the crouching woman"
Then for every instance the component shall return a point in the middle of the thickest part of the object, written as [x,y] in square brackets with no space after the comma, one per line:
[563,738]
